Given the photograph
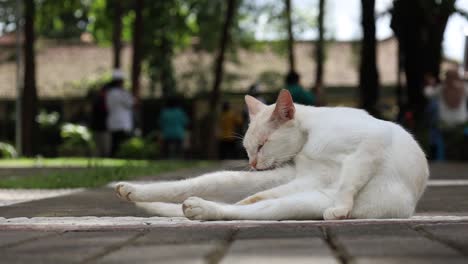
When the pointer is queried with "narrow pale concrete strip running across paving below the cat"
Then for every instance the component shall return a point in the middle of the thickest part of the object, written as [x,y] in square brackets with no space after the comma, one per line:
[138,223]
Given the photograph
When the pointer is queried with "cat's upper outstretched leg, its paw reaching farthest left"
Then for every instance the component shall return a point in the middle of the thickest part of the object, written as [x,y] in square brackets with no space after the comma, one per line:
[226,186]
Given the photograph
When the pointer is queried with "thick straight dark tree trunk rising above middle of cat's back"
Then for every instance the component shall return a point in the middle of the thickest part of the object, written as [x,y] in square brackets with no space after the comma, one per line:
[369,77]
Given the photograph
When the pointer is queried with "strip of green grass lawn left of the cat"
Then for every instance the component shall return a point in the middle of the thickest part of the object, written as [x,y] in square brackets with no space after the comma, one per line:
[98,174]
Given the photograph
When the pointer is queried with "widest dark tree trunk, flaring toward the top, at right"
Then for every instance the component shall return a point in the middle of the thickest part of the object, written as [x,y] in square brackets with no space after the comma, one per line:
[419,26]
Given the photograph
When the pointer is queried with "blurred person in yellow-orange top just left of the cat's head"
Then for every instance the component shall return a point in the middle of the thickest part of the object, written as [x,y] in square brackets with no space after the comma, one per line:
[230,122]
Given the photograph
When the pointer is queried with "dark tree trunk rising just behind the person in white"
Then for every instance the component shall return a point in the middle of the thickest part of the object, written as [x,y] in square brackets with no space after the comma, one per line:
[137,48]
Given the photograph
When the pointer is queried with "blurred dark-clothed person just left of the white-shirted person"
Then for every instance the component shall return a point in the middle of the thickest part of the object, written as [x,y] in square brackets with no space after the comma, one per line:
[98,125]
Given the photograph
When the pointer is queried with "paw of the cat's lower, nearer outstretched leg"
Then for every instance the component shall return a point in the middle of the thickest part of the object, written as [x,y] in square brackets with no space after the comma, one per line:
[198,209]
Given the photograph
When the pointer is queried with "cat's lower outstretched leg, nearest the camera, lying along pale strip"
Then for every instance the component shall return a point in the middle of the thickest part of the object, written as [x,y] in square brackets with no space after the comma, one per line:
[301,206]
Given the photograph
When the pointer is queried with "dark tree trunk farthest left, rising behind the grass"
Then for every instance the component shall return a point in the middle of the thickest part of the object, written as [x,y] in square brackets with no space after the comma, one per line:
[29,98]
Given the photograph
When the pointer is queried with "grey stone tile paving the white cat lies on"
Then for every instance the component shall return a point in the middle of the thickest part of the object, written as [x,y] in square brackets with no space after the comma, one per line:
[94,227]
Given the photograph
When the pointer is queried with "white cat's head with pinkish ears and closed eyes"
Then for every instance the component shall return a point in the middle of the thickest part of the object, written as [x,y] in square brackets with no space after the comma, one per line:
[274,136]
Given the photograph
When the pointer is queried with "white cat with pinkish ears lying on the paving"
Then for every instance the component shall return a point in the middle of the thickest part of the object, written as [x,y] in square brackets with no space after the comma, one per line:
[312,163]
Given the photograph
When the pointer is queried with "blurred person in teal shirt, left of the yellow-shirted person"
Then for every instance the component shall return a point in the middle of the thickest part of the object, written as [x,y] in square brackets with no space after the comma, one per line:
[173,122]
